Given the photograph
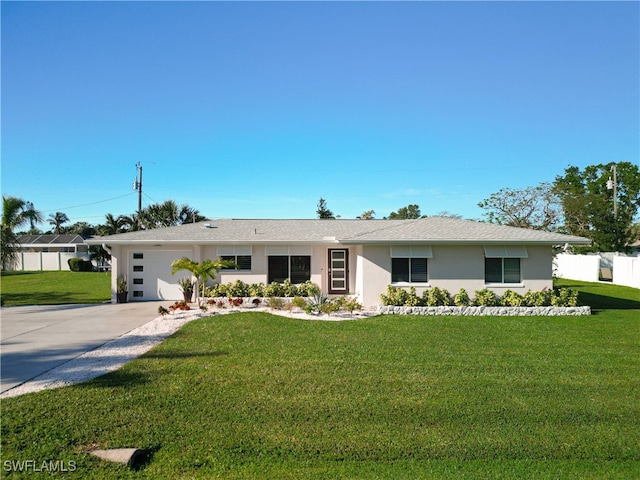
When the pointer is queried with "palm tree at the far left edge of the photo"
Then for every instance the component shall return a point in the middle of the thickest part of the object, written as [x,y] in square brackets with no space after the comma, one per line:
[15,214]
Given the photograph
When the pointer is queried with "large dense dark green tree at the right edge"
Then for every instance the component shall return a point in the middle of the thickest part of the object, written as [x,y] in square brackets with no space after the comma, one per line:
[588,206]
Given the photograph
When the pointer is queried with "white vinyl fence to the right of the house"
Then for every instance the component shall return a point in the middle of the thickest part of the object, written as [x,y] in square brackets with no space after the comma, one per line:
[624,270]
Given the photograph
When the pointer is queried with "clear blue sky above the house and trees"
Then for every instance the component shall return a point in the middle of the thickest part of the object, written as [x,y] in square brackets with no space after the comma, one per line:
[258,109]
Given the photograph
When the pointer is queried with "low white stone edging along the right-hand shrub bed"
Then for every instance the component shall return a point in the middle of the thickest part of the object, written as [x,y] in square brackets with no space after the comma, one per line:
[485,311]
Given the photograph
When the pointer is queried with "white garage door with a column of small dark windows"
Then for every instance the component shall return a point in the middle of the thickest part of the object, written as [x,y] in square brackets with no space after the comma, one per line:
[150,275]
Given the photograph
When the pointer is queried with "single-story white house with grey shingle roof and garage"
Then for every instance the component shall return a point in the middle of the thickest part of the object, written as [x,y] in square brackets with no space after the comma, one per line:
[343,257]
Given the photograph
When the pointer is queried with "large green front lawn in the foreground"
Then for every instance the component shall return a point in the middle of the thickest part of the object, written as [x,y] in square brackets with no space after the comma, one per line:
[252,395]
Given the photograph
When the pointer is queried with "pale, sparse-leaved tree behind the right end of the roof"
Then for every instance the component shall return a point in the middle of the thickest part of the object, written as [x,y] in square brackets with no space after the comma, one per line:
[532,207]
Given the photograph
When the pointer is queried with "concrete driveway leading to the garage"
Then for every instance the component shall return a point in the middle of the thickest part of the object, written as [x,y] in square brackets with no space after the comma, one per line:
[35,339]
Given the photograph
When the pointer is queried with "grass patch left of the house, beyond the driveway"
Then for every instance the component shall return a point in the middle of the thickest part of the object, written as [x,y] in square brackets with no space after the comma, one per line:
[54,288]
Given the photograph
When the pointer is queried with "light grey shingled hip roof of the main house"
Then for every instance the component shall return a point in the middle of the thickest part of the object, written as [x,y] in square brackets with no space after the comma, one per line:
[432,230]
